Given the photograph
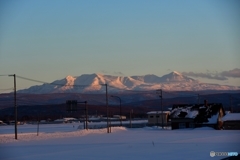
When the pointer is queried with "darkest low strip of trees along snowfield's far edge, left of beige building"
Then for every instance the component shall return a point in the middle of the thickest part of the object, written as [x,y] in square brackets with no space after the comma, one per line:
[52,112]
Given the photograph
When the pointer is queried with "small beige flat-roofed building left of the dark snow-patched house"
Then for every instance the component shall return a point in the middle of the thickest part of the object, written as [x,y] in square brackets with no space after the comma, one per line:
[157,117]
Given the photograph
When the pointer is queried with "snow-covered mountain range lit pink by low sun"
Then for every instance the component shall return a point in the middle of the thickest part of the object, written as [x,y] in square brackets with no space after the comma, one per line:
[95,83]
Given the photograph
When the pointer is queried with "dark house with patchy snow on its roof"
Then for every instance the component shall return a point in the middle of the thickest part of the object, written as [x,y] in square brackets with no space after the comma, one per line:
[191,116]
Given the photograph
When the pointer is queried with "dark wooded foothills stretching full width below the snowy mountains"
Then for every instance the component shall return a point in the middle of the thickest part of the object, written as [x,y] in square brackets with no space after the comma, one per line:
[34,112]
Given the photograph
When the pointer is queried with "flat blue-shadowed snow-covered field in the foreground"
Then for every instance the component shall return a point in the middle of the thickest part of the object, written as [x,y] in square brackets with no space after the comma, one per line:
[66,141]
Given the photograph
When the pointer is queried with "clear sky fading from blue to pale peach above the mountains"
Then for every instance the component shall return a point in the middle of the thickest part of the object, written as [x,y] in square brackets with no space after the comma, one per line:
[50,39]
